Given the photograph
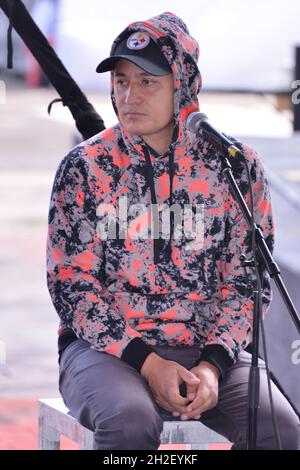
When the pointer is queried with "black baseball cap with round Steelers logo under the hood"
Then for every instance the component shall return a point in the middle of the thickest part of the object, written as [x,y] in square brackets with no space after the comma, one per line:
[140,49]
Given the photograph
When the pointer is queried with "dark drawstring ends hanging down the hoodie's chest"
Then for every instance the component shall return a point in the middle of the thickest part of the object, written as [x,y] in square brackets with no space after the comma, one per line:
[158,242]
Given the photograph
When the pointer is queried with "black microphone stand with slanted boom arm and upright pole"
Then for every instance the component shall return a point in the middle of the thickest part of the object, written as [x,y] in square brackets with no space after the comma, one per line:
[225,148]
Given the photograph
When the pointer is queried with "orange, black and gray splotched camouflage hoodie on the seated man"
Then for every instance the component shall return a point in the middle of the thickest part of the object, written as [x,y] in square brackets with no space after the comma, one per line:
[126,294]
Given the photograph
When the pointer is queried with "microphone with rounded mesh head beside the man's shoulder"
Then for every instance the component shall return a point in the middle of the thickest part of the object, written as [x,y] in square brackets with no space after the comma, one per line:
[198,123]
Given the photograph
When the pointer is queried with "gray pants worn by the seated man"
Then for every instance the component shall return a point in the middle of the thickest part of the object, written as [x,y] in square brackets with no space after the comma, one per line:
[112,399]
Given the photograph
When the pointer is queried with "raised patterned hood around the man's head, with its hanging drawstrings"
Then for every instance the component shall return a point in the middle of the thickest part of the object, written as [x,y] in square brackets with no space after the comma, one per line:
[181,52]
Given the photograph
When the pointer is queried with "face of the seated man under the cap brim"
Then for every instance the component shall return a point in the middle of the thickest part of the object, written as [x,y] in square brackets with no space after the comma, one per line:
[144,102]
